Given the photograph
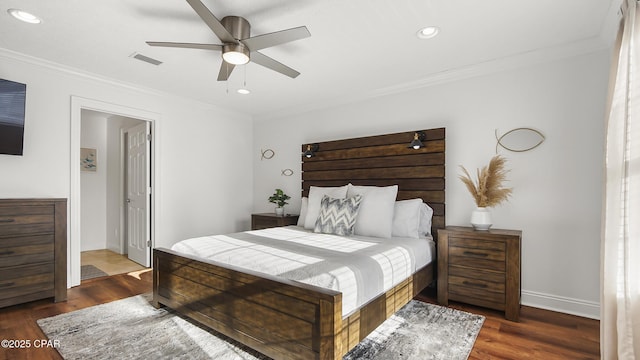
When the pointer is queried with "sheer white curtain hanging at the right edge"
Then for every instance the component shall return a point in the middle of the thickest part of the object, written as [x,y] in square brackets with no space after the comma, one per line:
[620,298]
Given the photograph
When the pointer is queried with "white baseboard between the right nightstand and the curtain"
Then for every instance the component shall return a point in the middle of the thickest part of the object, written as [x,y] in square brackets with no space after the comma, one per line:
[588,309]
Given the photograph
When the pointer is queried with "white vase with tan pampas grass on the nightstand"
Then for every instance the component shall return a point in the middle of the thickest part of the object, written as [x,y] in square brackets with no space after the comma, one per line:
[487,190]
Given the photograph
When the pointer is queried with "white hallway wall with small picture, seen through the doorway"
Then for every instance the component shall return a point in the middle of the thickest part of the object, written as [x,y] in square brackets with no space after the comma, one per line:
[94,183]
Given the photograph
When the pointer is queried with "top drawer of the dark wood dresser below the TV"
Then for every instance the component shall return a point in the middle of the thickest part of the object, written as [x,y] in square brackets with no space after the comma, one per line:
[26,220]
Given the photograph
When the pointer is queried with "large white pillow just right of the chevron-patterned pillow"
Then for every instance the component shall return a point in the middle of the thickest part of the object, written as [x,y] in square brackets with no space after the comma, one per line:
[375,217]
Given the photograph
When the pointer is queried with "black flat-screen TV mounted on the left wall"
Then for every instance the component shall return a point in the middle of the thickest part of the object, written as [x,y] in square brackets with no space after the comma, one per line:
[12,105]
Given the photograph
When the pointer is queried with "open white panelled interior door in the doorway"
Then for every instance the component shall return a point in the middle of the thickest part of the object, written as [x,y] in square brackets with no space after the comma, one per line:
[138,194]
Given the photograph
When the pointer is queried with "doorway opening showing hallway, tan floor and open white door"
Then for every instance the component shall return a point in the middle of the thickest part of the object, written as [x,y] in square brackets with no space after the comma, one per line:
[115,191]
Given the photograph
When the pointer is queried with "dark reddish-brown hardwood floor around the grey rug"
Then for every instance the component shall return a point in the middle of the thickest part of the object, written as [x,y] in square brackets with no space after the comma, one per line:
[540,334]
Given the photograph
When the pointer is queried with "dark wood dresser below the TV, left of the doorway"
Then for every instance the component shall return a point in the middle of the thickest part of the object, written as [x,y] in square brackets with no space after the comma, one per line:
[33,250]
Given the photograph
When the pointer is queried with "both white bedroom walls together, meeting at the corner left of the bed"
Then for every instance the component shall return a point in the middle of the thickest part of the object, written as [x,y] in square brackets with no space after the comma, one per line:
[209,185]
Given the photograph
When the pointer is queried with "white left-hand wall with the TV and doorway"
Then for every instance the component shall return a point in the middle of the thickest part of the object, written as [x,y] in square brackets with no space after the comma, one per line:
[205,187]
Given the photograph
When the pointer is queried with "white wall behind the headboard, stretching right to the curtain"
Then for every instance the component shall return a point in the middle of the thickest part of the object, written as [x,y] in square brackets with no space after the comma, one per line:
[557,186]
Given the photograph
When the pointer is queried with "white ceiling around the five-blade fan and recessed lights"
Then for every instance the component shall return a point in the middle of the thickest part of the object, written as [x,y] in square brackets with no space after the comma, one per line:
[357,48]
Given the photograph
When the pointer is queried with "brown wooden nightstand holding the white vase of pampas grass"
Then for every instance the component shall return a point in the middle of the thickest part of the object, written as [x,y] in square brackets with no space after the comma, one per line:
[480,268]
